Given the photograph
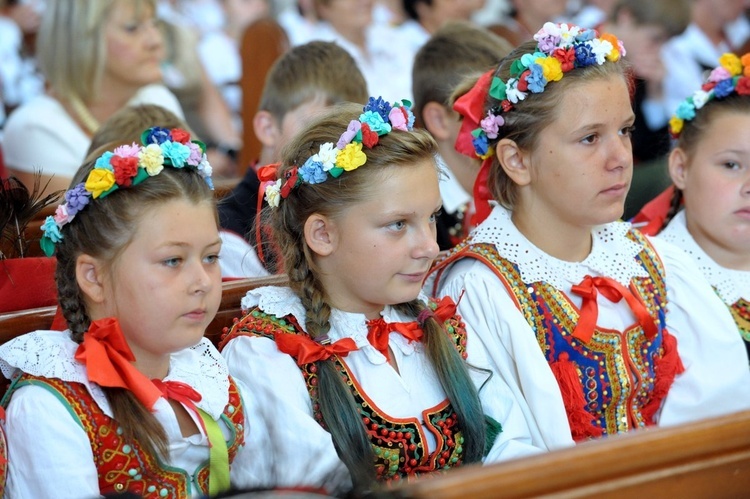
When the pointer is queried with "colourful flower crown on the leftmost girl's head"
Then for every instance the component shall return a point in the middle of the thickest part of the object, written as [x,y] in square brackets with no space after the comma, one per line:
[126,166]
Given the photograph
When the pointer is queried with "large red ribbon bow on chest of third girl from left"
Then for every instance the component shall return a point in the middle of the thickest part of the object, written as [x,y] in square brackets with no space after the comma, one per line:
[614,292]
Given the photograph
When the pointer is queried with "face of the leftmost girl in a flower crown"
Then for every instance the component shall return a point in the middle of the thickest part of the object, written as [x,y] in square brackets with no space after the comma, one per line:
[165,287]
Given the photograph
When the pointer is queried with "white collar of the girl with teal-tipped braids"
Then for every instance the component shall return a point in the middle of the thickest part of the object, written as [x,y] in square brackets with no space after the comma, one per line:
[282,301]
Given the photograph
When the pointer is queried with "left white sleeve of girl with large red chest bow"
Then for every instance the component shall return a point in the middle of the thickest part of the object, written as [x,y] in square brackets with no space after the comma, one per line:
[524,396]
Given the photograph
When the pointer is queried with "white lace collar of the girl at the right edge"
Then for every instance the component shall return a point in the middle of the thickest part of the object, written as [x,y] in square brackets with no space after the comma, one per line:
[730,284]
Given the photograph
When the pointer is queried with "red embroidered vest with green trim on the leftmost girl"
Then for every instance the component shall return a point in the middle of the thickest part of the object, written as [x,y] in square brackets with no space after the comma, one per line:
[123,466]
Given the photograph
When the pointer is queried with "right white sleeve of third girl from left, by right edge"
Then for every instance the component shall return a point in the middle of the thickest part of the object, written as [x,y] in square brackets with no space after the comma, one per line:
[716,380]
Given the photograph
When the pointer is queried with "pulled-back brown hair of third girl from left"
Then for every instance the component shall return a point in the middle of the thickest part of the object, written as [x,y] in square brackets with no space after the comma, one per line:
[530,116]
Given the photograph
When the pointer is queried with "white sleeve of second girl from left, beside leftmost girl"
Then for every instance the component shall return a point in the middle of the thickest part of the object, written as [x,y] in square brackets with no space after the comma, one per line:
[290,448]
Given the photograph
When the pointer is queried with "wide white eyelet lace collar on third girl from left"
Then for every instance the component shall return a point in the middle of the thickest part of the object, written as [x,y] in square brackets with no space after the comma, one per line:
[612,253]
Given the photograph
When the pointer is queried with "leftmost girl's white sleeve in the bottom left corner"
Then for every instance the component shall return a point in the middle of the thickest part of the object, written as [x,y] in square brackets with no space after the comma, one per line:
[49,452]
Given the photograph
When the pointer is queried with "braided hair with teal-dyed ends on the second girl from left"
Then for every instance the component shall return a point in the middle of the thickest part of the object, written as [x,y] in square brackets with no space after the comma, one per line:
[396,149]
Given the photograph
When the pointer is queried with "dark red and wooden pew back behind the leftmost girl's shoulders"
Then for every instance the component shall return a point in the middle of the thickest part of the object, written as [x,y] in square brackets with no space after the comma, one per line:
[14,324]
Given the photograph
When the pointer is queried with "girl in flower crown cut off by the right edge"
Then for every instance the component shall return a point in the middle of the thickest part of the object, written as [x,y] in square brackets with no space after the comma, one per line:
[710,168]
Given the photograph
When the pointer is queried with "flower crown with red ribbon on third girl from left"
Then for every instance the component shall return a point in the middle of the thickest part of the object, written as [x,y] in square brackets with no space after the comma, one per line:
[560,49]
